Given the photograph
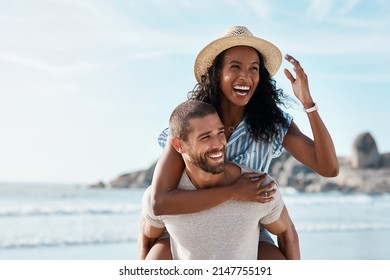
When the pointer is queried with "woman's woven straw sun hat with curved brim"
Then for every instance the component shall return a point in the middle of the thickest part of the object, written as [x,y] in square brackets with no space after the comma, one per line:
[237,36]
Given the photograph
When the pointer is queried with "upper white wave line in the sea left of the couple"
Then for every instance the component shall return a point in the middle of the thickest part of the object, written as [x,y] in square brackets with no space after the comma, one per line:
[42,210]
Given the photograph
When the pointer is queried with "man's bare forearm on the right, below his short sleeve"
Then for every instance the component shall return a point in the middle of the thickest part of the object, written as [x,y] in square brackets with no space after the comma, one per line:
[288,240]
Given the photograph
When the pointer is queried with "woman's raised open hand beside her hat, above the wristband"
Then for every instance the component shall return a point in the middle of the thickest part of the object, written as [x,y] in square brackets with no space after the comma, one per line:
[299,84]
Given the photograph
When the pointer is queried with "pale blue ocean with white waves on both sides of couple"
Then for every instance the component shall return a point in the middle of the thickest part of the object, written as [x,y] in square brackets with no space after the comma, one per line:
[74,222]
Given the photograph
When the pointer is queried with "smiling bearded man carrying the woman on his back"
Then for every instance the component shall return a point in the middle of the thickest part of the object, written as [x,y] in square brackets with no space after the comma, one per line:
[229,230]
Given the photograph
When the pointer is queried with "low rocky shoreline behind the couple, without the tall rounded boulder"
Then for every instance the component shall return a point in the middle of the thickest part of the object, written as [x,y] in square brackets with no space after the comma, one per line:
[289,172]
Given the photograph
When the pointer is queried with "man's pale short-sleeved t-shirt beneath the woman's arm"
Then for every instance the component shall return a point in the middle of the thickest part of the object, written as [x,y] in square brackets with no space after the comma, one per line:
[228,231]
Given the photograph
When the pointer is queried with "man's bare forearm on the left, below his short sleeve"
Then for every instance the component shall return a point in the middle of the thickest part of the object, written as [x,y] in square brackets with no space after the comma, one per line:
[147,237]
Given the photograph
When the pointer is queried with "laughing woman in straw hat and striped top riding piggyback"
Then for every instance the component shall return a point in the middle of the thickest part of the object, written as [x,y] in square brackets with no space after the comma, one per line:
[234,75]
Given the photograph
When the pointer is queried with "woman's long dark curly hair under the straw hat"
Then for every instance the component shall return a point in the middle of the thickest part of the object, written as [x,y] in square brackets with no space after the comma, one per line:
[262,111]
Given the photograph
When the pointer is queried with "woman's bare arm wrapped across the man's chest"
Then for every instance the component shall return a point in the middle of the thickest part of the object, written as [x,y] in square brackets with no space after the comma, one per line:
[168,200]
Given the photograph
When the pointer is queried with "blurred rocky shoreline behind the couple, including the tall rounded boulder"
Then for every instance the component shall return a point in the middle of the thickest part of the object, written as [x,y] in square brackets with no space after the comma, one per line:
[366,170]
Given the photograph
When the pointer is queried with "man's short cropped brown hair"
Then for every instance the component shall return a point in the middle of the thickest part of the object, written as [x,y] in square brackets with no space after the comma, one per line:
[183,113]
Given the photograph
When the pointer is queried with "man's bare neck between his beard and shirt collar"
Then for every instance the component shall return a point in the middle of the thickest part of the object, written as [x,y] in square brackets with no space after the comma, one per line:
[202,180]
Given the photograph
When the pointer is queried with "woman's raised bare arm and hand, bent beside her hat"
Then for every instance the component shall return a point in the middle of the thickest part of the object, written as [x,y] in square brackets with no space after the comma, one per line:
[318,154]
